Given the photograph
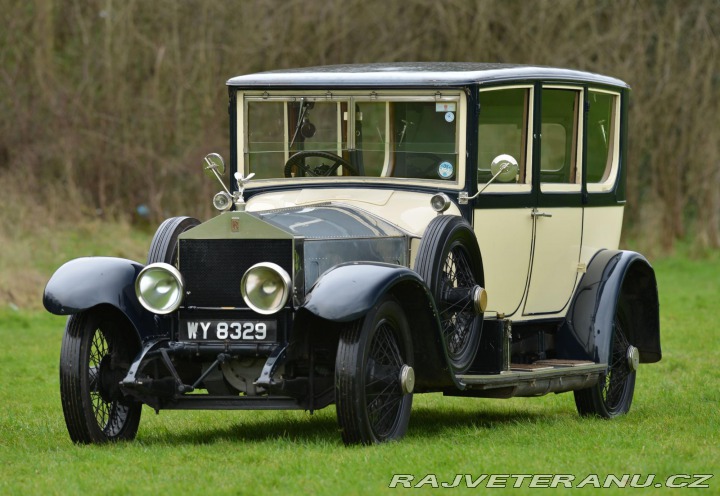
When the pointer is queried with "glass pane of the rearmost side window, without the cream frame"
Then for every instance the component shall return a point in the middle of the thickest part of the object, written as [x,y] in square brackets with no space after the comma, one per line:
[600,136]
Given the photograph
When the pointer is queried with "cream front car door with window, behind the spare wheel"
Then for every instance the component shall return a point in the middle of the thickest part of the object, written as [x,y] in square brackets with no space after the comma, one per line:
[502,211]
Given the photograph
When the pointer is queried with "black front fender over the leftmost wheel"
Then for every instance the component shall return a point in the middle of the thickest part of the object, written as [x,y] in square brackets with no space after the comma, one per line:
[87,282]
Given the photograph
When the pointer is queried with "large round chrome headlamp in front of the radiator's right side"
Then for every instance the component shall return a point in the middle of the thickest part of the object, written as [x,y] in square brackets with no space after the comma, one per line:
[265,287]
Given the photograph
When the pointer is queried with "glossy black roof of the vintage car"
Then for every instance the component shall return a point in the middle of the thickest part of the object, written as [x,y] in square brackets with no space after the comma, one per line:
[406,74]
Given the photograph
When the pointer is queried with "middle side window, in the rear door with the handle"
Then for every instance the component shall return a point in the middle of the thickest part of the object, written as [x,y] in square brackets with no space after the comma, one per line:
[559,148]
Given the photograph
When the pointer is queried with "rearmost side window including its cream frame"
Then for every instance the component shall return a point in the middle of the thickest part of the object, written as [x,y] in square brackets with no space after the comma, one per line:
[602,139]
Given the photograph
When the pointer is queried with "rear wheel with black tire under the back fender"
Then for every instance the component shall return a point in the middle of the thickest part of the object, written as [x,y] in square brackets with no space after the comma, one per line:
[613,394]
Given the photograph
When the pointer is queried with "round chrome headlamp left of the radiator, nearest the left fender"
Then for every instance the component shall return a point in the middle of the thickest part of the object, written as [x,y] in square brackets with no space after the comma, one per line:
[160,288]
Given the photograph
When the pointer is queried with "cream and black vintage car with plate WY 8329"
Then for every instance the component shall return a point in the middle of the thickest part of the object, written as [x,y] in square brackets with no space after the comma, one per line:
[384,230]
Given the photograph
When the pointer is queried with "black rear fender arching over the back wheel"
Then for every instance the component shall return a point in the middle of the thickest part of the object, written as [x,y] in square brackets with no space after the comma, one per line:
[613,277]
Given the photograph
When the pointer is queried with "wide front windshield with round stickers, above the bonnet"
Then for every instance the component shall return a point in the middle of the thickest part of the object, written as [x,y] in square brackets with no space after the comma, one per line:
[325,135]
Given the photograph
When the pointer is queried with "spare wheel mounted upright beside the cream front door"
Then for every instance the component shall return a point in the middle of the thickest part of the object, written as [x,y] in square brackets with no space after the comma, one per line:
[449,258]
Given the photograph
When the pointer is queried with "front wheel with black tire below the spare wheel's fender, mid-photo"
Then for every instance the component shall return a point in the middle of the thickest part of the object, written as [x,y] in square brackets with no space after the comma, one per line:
[371,406]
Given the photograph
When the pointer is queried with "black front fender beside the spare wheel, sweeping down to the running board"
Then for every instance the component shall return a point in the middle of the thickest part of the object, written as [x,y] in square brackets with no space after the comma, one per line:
[348,291]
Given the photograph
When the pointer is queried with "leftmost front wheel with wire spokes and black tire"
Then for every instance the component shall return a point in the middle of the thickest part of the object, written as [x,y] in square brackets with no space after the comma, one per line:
[95,356]
